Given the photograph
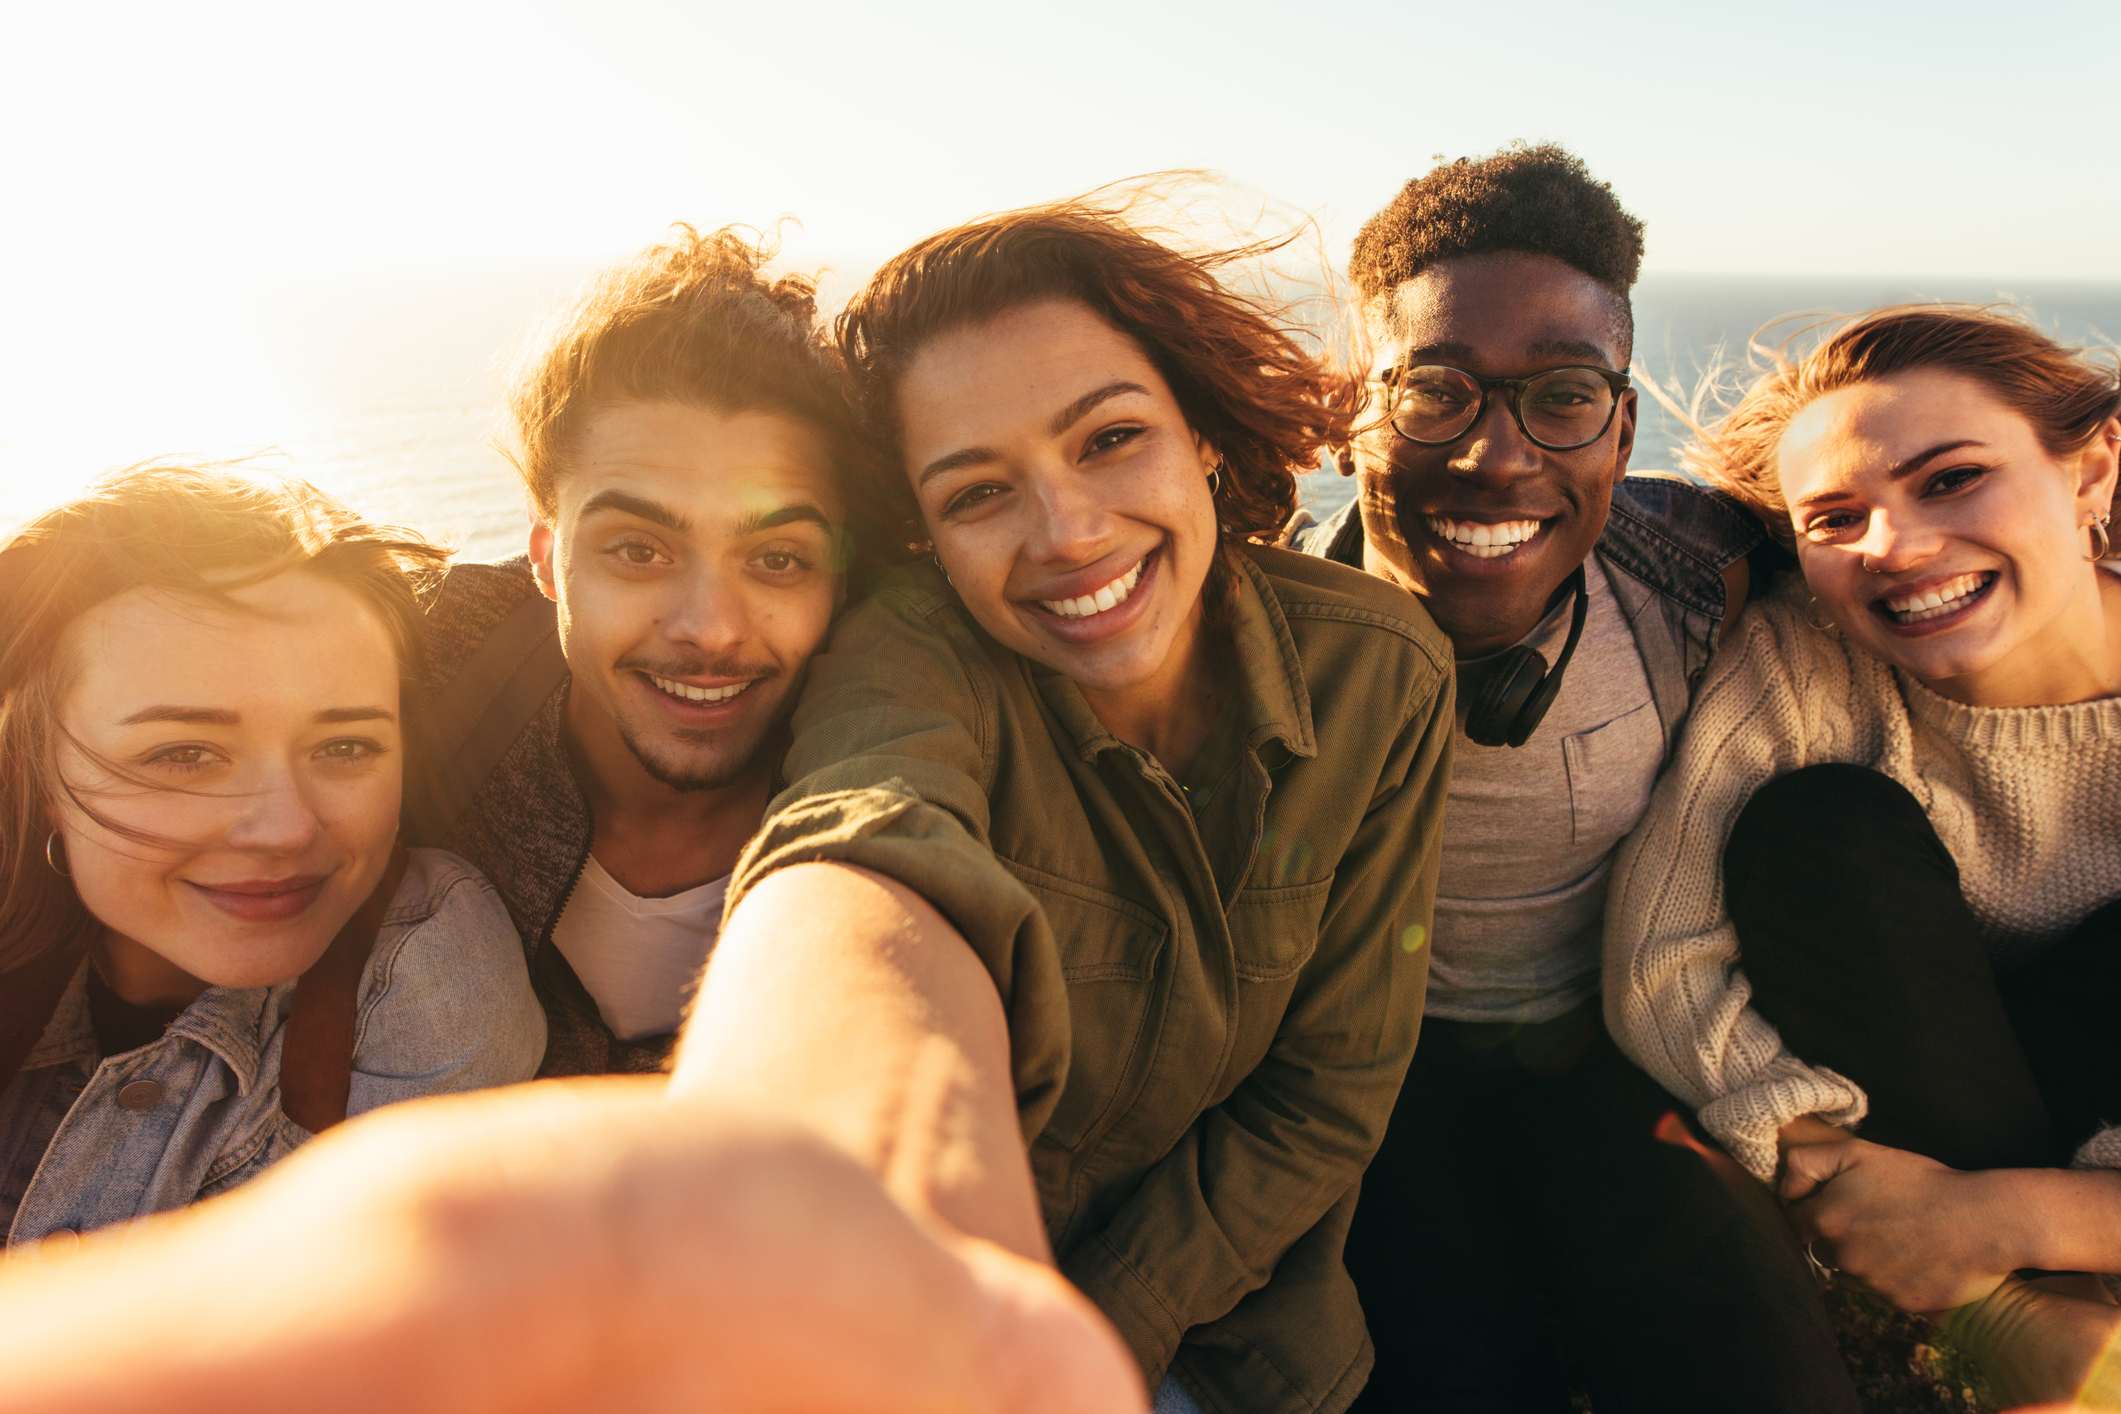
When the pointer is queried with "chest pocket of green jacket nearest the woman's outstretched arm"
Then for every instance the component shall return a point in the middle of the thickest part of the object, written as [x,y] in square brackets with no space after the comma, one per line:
[1108,957]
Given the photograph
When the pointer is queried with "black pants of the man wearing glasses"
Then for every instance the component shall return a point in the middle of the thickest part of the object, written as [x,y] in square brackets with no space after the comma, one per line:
[1524,1229]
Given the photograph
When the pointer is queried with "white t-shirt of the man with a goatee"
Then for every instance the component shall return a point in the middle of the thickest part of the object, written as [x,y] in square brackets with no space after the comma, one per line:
[637,957]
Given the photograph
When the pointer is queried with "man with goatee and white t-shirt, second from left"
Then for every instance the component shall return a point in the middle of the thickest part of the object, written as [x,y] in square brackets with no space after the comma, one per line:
[608,713]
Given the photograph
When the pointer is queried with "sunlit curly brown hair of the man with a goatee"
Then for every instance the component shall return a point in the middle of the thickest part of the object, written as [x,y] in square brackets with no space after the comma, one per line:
[693,321]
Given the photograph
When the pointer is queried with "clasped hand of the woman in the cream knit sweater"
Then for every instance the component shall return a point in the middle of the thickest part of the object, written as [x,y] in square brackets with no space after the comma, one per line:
[1899,1224]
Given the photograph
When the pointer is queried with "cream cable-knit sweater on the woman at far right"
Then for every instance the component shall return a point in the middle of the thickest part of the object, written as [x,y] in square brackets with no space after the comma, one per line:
[2029,802]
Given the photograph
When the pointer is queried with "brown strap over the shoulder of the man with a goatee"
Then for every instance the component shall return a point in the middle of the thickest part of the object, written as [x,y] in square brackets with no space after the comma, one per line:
[483,711]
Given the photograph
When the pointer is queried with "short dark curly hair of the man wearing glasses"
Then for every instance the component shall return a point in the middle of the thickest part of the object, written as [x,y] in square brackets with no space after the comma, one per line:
[1530,200]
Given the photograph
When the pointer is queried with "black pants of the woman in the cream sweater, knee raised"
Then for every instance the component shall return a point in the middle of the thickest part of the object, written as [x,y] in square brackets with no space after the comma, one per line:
[1865,957]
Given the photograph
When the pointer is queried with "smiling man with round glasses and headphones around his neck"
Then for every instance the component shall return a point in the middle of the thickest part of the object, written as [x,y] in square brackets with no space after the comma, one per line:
[1541,1220]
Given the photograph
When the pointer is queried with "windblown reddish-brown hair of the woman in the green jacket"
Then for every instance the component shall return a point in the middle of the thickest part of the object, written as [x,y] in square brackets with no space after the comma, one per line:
[1240,376]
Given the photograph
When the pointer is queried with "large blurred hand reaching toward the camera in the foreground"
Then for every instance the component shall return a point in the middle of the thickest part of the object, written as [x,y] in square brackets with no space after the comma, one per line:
[584,1245]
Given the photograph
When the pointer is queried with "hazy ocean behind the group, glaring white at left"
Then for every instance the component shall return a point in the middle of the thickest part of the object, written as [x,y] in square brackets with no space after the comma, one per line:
[385,385]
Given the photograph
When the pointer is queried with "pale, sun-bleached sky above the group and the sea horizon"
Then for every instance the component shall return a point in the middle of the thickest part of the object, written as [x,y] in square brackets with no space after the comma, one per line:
[164,164]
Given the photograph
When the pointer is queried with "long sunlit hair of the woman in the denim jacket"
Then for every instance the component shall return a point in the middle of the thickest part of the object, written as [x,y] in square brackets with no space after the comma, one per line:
[179,529]
